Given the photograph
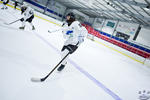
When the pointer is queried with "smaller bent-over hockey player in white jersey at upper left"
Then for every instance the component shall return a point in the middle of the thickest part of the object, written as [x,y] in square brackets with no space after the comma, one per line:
[28,14]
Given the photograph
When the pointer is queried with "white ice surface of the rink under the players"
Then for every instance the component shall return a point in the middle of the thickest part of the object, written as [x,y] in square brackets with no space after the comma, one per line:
[93,72]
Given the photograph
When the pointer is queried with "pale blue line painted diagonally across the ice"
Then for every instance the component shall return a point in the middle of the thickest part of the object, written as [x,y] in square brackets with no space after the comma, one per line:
[99,84]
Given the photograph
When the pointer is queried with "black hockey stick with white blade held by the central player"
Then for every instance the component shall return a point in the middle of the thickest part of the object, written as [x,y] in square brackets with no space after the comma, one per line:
[43,79]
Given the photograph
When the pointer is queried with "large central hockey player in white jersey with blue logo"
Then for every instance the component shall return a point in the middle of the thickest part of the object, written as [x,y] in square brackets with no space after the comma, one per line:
[74,34]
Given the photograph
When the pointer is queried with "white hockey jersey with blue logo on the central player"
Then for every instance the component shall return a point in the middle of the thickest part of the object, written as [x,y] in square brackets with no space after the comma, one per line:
[77,33]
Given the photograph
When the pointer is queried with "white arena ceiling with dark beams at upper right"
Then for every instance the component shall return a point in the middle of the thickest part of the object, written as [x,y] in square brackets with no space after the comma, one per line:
[135,11]
